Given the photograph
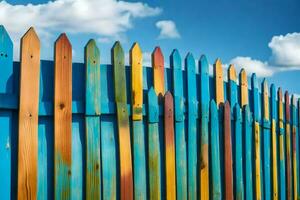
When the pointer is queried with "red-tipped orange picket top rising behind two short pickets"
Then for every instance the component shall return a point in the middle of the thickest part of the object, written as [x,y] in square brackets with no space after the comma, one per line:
[158,71]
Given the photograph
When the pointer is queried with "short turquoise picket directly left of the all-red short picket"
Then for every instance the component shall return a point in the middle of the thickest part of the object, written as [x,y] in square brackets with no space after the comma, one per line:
[215,182]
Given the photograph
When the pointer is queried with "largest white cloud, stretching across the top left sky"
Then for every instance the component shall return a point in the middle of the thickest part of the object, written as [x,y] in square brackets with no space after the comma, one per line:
[108,18]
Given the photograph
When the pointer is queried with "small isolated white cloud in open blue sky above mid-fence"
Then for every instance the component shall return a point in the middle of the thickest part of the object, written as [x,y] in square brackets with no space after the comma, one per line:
[167,29]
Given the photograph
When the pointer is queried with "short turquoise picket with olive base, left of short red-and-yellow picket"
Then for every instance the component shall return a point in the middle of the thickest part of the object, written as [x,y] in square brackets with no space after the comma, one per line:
[154,144]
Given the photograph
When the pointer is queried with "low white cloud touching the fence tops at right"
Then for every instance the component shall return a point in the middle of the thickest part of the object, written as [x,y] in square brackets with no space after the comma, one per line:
[253,66]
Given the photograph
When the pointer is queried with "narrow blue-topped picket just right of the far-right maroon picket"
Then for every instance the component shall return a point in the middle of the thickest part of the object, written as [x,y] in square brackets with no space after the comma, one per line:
[294,147]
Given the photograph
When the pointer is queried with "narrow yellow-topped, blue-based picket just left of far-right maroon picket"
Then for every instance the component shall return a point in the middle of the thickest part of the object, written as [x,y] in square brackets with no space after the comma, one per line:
[282,181]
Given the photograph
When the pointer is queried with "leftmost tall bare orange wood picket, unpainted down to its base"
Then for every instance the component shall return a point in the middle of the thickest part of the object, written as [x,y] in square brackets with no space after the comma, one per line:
[28,115]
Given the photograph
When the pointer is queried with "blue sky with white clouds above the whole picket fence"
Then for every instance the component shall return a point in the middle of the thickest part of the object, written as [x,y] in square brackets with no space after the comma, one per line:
[263,36]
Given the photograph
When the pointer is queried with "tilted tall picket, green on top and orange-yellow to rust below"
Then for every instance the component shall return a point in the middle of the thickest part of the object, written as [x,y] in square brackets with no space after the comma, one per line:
[126,178]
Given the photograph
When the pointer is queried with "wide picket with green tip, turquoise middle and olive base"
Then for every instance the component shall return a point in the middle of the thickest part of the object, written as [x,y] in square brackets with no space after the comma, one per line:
[92,121]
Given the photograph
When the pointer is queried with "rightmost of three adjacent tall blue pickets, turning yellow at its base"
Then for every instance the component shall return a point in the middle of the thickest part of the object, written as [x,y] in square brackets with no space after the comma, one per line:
[204,114]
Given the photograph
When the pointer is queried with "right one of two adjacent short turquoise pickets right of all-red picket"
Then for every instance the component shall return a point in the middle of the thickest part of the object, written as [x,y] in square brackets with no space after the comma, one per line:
[248,153]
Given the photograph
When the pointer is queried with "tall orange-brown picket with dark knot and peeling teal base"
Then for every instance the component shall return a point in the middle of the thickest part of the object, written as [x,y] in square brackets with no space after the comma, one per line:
[62,117]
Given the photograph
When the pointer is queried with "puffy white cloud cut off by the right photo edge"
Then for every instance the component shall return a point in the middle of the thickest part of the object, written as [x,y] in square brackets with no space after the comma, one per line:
[286,50]
